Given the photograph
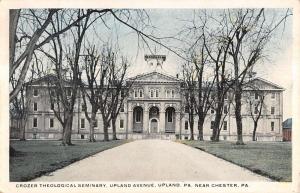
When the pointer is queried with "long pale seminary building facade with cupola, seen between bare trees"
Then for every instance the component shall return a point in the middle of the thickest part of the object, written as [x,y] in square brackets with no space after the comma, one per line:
[155,109]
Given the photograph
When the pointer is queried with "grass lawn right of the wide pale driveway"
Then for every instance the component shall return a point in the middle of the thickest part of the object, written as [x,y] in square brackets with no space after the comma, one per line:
[271,159]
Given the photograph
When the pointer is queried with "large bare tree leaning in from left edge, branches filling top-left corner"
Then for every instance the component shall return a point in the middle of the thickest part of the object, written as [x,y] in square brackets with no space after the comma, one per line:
[30,30]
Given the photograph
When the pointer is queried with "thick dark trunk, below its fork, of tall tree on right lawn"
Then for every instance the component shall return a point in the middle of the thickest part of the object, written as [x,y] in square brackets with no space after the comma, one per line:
[239,126]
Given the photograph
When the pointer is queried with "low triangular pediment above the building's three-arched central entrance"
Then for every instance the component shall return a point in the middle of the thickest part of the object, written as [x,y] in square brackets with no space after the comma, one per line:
[154,77]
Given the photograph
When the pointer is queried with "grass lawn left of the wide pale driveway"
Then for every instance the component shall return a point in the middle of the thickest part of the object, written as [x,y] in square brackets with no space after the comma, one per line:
[37,158]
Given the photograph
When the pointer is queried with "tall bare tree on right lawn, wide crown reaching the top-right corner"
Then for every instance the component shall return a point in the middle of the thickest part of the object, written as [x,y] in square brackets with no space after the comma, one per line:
[250,36]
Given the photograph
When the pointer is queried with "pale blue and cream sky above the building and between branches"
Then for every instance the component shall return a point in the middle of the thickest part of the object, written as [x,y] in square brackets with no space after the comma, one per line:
[168,22]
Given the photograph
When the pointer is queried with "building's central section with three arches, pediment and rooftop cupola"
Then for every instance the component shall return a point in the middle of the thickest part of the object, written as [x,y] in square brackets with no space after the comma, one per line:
[155,102]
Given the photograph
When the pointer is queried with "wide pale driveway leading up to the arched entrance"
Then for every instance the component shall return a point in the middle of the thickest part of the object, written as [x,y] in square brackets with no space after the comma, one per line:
[152,160]
